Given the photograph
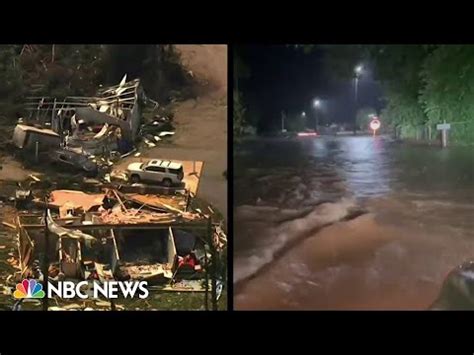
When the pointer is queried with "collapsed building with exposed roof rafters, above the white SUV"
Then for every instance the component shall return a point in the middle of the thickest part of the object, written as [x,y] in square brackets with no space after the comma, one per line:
[83,126]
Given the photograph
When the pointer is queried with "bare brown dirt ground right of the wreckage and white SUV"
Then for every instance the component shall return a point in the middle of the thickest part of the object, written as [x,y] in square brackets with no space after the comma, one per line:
[201,125]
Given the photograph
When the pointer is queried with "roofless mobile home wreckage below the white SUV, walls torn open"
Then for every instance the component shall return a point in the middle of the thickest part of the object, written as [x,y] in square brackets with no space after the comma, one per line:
[119,243]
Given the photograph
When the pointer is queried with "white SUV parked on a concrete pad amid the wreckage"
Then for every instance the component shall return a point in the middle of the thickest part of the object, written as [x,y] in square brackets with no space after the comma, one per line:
[161,171]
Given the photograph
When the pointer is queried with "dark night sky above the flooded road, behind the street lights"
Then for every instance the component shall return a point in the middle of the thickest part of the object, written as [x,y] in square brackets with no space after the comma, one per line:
[284,78]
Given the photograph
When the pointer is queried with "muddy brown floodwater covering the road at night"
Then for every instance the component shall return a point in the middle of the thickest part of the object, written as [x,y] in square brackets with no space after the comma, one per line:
[349,222]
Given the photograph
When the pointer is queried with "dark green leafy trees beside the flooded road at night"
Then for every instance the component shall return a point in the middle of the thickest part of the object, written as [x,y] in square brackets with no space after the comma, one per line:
[422,84]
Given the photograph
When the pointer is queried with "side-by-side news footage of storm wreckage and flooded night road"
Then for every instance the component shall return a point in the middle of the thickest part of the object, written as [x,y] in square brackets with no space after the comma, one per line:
[347,185]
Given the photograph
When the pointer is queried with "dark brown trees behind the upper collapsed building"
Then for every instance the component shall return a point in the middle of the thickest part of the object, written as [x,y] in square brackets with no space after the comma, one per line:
[64,70]
